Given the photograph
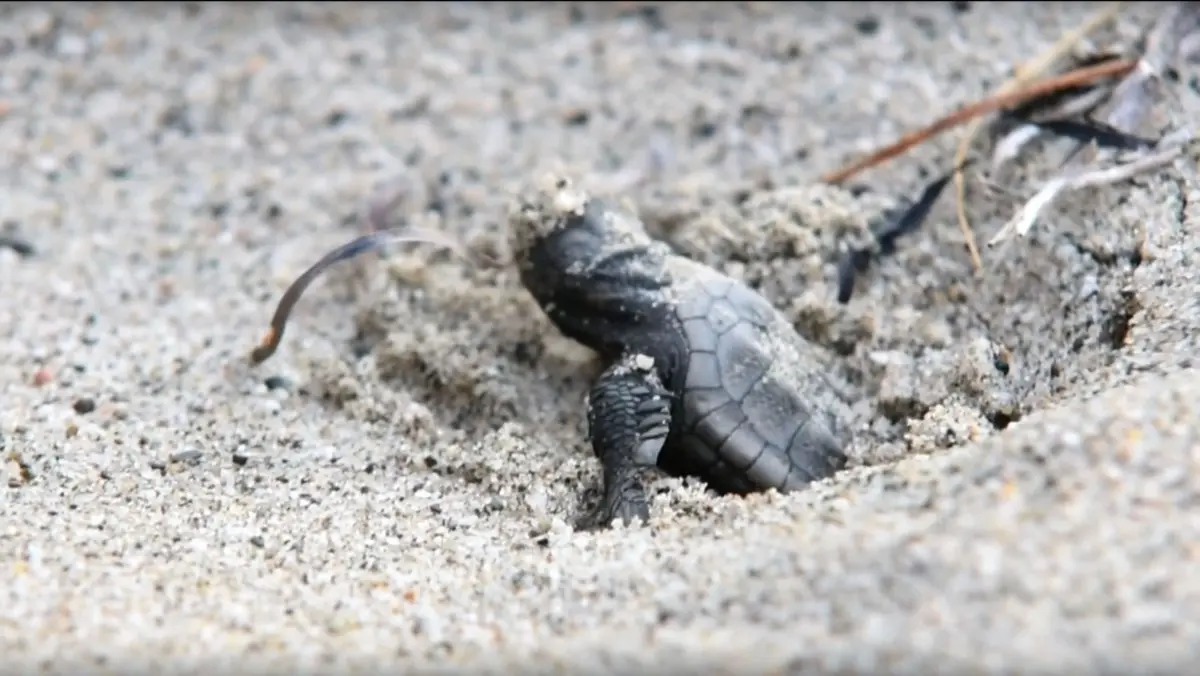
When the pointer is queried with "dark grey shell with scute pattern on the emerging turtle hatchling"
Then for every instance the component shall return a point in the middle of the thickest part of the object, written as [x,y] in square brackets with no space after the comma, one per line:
[757,406]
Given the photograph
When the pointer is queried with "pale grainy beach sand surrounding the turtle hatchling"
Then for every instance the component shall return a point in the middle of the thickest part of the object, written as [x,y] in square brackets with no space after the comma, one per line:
[397,487]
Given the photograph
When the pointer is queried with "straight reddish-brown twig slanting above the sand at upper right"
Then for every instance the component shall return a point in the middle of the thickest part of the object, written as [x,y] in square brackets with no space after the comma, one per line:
[1089,75]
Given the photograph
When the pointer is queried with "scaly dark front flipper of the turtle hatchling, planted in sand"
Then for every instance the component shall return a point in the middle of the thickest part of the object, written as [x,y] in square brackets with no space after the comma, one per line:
[629,418]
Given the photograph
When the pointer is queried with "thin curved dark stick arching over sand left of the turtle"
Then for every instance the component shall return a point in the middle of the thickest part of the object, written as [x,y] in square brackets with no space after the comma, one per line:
[353,249]
